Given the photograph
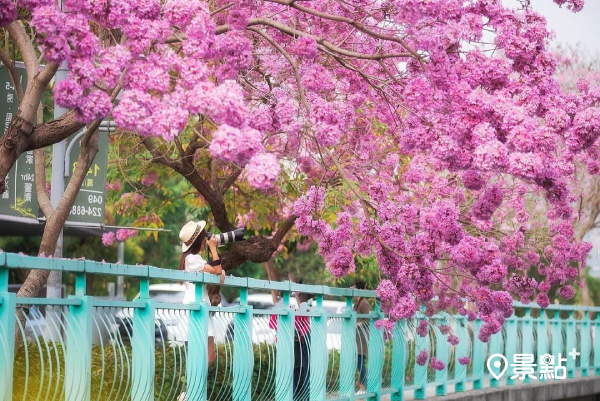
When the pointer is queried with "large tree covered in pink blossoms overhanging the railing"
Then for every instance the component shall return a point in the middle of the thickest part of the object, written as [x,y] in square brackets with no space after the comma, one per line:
[441,122]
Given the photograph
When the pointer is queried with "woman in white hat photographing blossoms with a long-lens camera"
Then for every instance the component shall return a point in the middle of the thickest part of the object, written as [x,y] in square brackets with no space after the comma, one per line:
[194,241]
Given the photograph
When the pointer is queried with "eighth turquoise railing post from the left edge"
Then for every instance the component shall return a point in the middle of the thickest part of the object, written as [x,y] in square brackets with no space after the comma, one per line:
[348,353]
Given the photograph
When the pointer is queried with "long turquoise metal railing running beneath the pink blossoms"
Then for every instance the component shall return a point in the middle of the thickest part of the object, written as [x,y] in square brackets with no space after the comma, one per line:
[84,348]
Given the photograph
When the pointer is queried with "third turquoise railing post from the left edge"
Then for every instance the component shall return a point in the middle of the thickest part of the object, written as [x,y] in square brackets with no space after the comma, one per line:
[142,344]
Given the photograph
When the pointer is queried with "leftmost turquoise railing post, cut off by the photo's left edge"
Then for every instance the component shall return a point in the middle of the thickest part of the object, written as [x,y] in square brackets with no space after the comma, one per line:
[8,305]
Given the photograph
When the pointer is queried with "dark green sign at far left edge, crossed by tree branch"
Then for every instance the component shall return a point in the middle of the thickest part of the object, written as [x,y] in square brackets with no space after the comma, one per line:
[19,199]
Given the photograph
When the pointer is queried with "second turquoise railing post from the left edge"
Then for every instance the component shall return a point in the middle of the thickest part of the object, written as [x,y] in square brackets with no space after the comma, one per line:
[78,354]
